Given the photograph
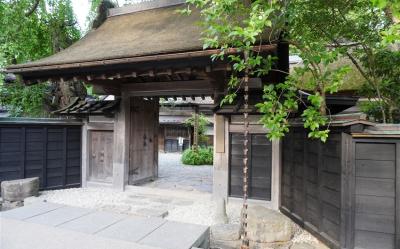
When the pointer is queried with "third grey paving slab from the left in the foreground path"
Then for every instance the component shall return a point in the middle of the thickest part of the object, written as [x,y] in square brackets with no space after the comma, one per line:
[94,222]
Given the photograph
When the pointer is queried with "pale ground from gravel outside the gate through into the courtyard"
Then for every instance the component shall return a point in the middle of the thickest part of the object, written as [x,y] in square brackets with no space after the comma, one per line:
[182,191]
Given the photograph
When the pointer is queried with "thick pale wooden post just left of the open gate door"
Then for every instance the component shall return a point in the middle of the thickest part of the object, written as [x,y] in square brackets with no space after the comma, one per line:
[121,144]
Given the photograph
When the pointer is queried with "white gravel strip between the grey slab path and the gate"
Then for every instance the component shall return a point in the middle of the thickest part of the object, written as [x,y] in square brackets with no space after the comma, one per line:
[182,206]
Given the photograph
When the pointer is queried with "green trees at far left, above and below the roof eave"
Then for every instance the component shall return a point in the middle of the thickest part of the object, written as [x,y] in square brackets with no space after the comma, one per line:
[30,30]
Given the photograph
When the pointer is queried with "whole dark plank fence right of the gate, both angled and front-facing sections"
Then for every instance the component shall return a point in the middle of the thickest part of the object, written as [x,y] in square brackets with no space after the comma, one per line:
[345,191]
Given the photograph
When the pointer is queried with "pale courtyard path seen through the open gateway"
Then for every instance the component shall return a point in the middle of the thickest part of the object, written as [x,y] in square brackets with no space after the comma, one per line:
[172,174]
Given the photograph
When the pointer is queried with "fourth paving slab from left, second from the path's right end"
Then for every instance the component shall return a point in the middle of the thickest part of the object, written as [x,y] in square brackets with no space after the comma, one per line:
[132,229]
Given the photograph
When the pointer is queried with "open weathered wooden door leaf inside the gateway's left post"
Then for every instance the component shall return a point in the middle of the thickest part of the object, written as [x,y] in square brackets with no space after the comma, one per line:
[143,156]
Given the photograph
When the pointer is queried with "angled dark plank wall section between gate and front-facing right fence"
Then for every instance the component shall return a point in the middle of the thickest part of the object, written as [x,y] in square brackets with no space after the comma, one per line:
[311,184]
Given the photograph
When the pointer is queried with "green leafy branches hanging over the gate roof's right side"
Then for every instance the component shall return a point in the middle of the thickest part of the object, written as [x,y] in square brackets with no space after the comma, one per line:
[320,32]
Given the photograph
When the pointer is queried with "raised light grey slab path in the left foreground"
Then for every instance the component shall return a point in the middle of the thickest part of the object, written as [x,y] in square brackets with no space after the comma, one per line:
[46,225]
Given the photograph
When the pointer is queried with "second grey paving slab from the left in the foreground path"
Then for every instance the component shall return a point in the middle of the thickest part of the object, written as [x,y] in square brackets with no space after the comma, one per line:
[59,216]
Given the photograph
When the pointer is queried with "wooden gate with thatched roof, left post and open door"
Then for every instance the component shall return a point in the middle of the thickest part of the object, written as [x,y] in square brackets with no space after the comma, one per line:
[139,64]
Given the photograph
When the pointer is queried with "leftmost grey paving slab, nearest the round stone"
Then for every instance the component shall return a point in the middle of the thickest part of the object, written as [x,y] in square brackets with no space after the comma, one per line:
[30,211]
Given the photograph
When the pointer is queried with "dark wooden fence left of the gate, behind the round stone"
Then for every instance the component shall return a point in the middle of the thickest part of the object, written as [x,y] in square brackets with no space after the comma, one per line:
[49,149]
